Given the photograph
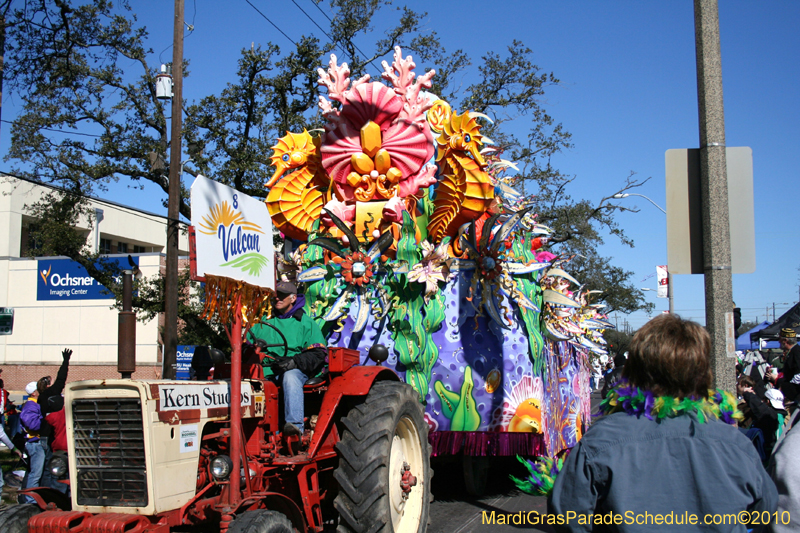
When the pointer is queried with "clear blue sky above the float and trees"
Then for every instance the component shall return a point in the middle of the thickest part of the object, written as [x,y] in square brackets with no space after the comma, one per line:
[628,93]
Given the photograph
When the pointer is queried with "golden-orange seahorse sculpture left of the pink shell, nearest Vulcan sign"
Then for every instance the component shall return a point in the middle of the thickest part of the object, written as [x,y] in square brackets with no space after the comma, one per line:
[295,200]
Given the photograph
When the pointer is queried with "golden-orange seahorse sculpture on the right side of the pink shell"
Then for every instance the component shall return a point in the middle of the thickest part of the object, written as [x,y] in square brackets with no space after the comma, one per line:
[465,189]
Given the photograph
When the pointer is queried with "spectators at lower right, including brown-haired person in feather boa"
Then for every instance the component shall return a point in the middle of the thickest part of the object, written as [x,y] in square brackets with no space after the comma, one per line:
[670,445]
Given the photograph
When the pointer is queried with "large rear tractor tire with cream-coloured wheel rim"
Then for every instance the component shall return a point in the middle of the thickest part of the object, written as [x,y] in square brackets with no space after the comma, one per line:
[380,435]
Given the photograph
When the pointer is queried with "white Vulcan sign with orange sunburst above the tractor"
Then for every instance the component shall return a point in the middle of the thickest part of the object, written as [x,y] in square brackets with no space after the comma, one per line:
[233,234]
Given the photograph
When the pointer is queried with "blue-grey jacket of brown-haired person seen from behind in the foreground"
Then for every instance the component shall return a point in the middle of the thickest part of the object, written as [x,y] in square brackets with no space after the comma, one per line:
[626,464]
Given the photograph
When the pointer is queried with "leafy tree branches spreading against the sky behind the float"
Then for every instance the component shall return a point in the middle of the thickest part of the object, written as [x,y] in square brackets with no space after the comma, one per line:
[90,116]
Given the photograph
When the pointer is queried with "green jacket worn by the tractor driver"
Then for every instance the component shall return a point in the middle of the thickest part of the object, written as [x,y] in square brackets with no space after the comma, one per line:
[300,330]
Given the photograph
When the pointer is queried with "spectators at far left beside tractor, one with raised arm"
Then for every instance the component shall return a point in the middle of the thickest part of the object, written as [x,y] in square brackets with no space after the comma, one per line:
[37,428]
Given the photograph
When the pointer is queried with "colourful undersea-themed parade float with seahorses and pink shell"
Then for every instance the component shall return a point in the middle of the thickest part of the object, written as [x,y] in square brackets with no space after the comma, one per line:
[402,230]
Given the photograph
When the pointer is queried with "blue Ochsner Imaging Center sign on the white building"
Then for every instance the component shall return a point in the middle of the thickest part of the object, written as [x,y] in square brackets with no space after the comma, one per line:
[64,279]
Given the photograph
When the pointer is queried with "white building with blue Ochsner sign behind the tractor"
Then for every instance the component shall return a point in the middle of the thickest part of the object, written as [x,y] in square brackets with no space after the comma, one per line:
[56,305]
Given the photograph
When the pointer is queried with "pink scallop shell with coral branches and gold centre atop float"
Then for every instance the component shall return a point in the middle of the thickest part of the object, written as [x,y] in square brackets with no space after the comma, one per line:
[376,146]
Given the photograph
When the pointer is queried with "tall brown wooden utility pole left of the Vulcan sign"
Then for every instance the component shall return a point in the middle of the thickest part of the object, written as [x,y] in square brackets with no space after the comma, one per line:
[173,212]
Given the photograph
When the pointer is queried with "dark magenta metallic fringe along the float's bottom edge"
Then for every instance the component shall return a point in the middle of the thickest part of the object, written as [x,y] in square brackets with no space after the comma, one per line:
[486,443]
